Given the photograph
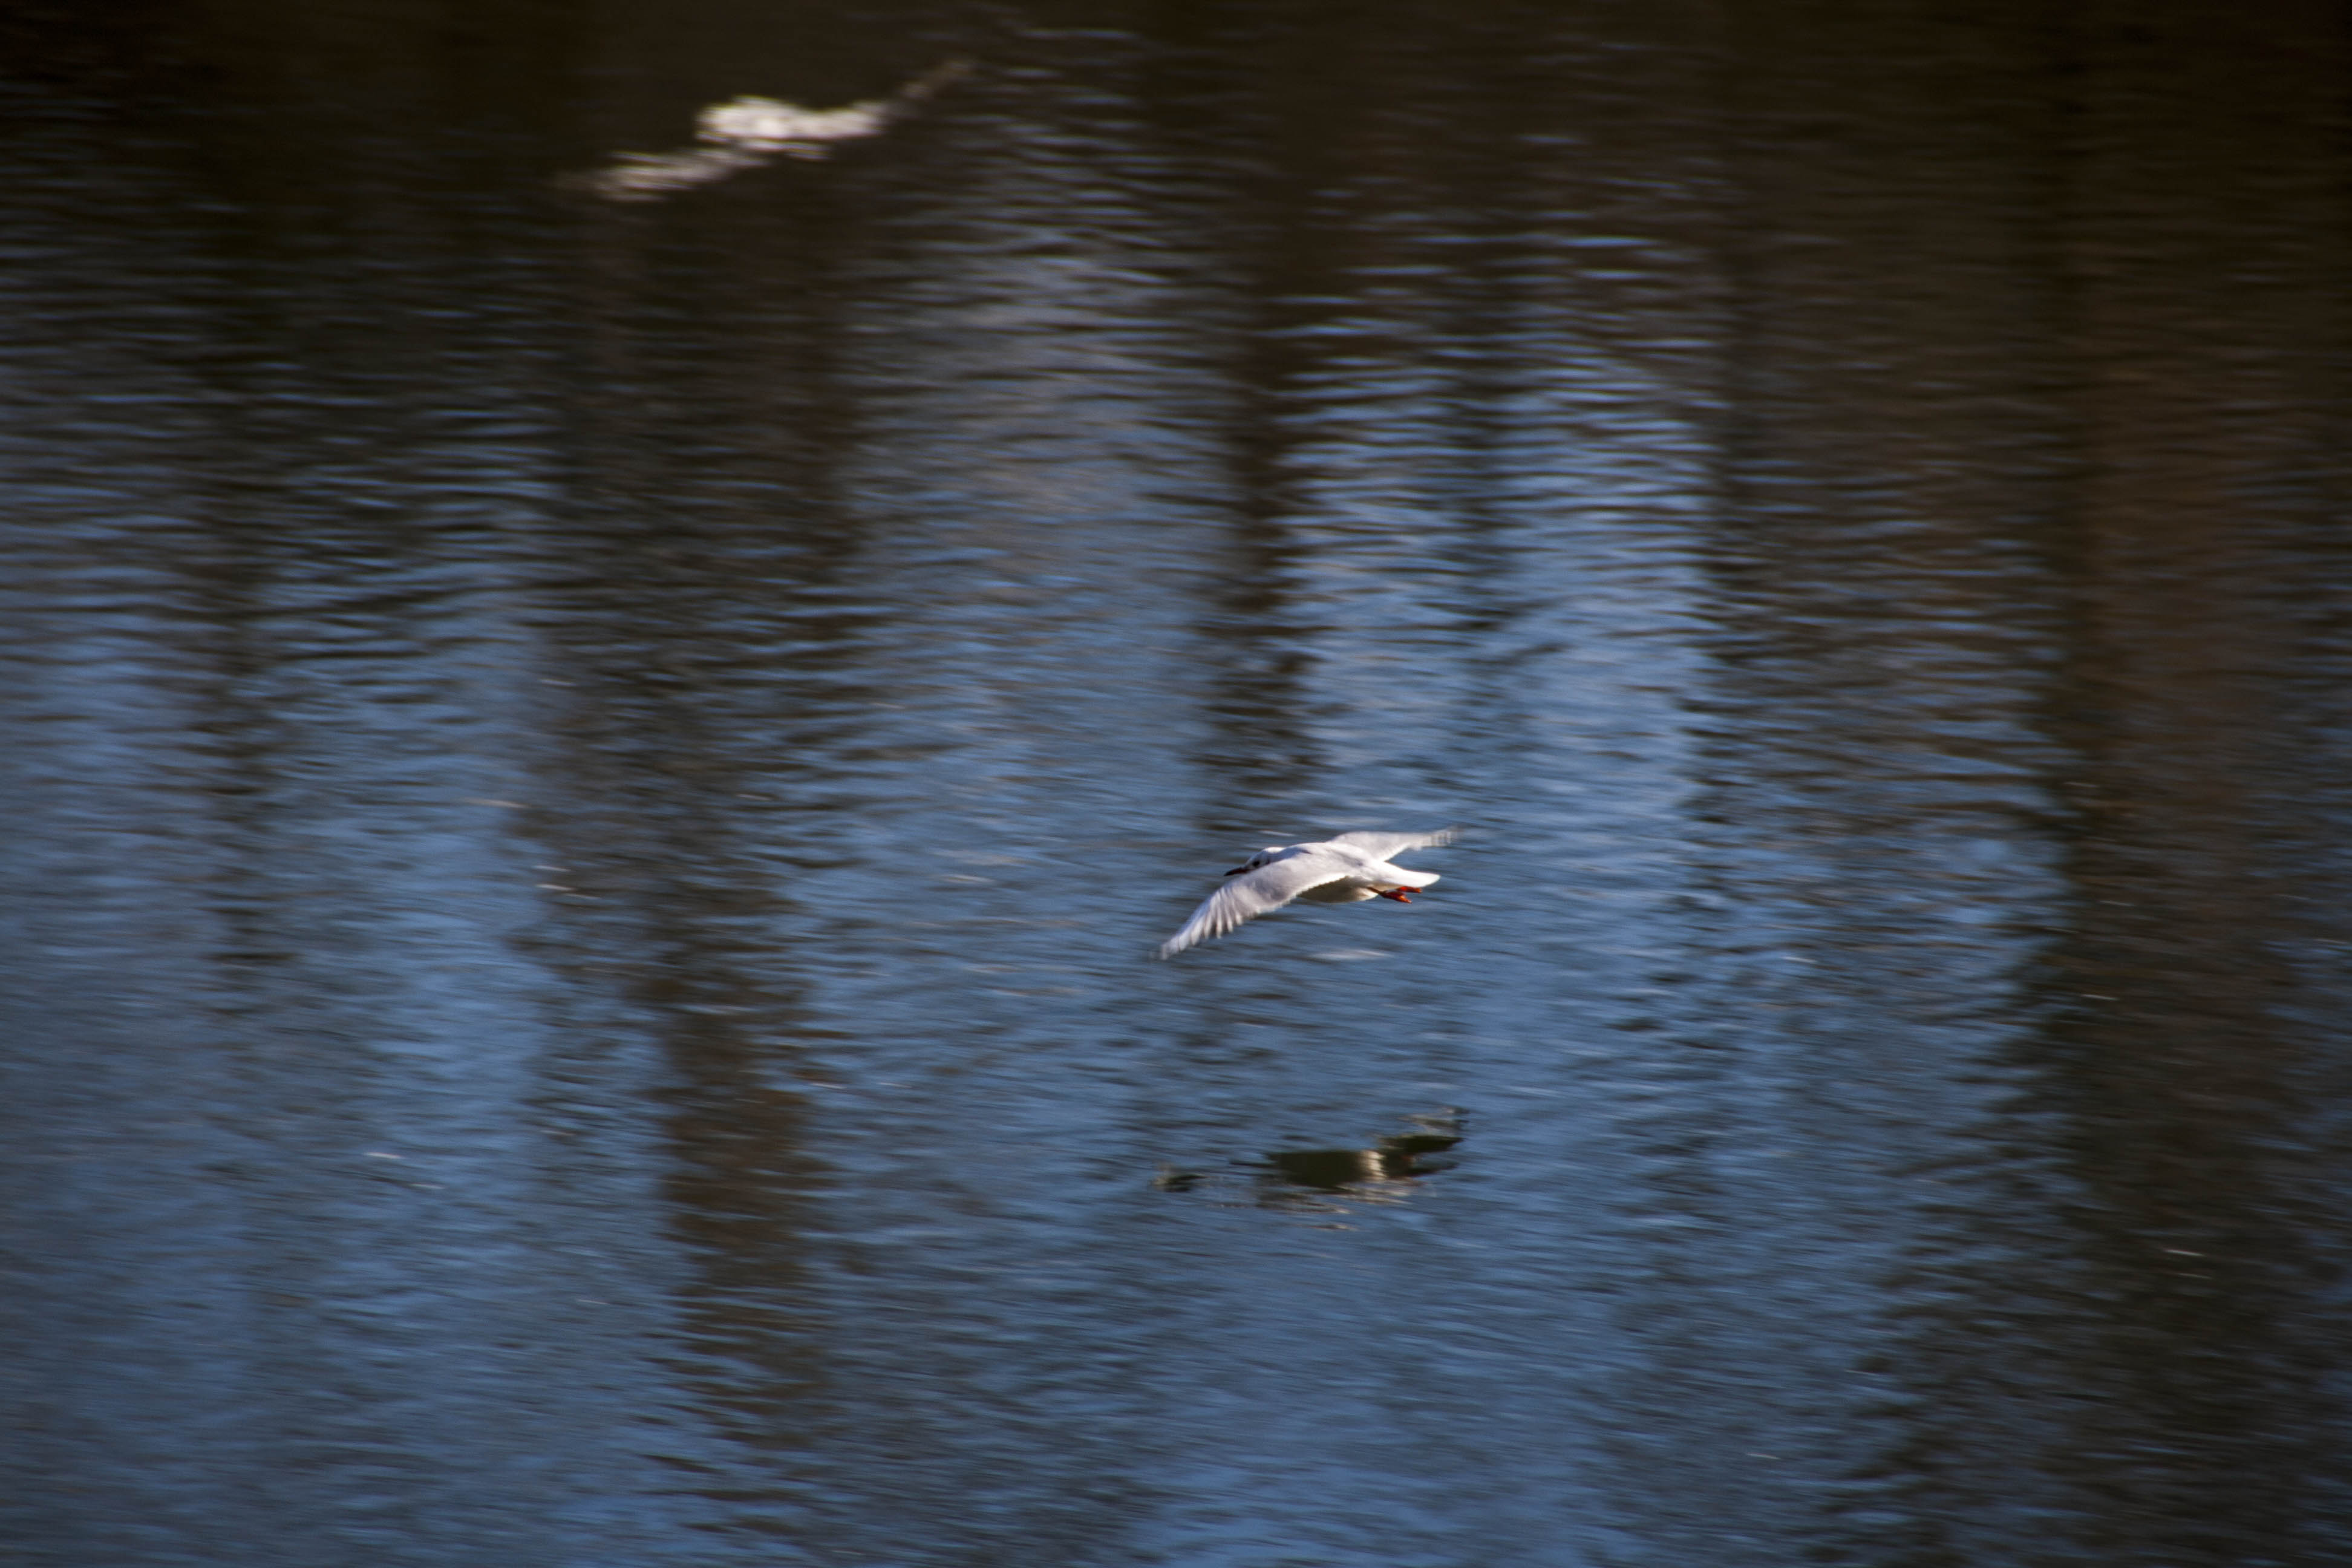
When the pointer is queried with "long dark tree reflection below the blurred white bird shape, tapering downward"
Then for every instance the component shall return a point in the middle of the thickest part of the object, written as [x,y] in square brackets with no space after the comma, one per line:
[709,671]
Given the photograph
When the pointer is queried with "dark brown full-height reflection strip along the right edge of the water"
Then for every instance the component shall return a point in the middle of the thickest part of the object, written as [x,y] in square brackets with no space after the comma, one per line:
[2200,699]
